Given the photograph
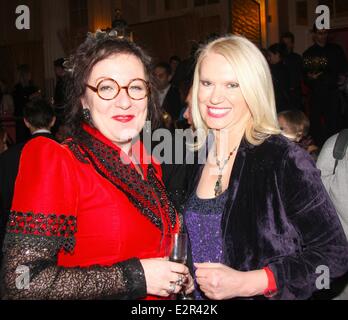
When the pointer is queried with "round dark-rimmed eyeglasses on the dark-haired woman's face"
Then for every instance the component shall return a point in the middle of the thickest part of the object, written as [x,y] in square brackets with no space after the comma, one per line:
[108,89]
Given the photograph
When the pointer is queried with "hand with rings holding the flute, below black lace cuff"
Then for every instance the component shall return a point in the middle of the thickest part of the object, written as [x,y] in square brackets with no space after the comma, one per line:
[164,277]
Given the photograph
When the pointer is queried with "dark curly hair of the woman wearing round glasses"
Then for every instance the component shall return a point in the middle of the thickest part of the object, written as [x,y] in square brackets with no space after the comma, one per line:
[99,46]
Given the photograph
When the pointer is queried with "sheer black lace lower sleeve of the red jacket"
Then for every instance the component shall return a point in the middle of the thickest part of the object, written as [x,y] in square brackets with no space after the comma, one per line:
[30,271]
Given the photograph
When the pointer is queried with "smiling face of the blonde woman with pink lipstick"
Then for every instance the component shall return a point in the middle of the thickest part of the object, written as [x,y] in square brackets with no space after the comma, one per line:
[220,99]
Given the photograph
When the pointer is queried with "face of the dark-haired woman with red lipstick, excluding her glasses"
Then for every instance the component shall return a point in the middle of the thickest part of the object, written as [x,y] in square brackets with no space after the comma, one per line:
[121,118]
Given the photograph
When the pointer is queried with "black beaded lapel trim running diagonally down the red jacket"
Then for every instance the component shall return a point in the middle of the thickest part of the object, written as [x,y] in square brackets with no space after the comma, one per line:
[149,196]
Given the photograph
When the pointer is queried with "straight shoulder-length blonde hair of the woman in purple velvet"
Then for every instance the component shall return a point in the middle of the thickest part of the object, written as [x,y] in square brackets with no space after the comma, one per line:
[255,81]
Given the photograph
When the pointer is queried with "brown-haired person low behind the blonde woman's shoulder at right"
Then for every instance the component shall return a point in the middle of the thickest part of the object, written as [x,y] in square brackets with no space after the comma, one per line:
[295,126]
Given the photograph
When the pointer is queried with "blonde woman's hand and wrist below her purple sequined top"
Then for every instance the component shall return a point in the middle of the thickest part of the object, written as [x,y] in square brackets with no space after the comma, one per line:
[219,282]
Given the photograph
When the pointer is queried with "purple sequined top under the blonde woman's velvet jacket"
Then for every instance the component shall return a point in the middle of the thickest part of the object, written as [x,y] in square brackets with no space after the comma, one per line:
[203,223]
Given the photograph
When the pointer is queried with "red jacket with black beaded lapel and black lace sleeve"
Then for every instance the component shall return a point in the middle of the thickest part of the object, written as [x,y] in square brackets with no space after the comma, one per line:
[82,217]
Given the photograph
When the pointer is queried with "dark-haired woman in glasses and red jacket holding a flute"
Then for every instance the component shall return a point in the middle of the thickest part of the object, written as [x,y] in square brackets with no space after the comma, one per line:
[89,216]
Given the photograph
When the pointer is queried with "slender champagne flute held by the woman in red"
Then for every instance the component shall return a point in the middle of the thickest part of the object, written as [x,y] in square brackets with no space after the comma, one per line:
[176,251]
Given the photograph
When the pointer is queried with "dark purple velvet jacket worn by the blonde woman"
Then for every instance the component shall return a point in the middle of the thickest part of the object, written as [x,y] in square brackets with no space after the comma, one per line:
[278,214]
